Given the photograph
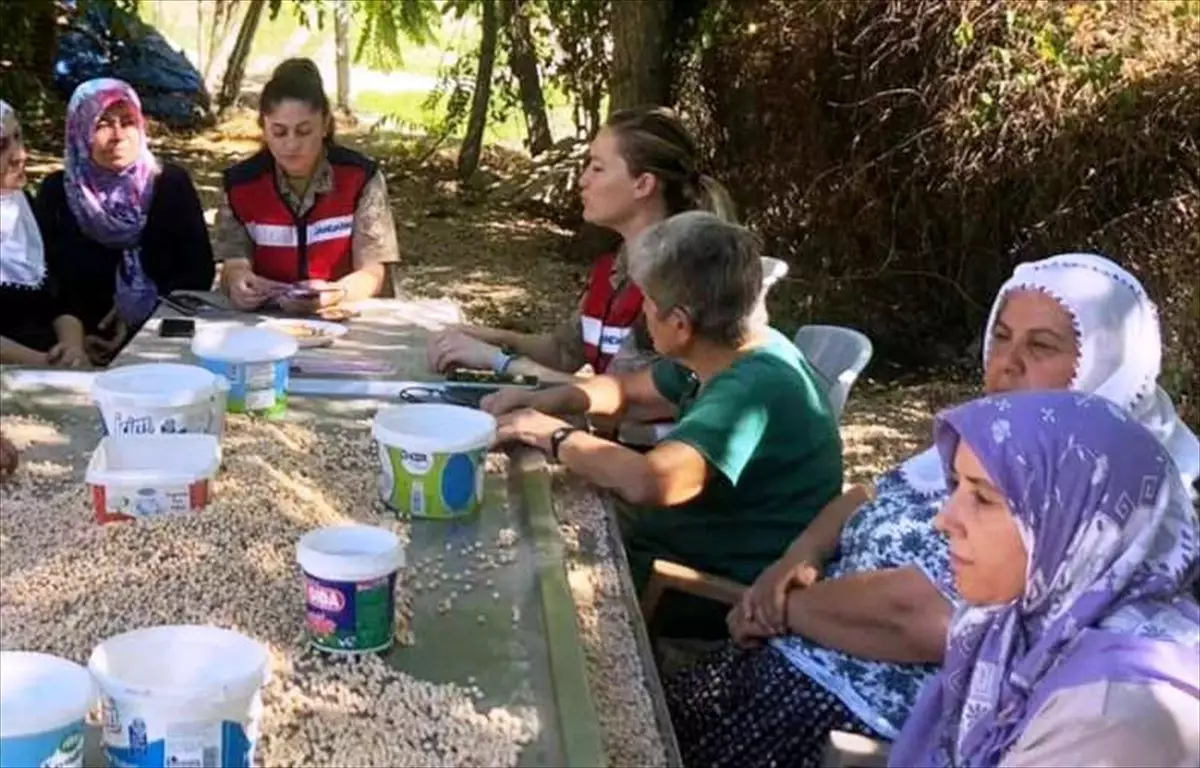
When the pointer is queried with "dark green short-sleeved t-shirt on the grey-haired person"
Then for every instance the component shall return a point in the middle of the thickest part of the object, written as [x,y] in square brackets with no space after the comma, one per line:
[775,455]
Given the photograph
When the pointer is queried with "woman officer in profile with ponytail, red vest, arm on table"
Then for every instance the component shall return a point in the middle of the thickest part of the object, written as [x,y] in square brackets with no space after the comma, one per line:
[641,170]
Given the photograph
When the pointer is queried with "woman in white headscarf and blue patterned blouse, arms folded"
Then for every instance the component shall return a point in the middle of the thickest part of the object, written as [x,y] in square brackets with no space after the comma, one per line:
[855,615]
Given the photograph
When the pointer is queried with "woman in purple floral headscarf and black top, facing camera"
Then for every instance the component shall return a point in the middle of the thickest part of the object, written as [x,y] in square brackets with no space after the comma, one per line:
[122,230]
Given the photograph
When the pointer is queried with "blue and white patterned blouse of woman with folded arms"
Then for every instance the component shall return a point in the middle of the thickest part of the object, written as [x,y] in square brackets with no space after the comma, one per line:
[893,531]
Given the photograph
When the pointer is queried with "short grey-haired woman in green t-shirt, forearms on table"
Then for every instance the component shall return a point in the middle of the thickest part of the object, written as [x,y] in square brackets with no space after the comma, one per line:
[755,454]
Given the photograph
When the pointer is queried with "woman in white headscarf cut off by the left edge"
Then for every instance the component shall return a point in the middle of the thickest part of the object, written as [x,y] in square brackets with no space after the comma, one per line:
[34,329]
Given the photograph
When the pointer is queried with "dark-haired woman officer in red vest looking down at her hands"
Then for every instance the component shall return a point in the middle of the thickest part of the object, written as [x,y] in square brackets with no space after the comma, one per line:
[305,223]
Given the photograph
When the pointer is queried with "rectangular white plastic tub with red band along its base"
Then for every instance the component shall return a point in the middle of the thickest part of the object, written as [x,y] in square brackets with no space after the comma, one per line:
[131,478]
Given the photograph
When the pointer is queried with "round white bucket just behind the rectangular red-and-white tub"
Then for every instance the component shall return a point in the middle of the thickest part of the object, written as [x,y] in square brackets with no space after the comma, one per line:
[160,399]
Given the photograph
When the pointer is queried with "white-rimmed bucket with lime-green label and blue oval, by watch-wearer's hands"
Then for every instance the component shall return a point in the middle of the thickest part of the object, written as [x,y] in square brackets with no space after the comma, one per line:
[434,459]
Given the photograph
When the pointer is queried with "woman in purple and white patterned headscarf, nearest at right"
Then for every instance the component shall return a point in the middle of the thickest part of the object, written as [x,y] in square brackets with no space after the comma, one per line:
[1075,547]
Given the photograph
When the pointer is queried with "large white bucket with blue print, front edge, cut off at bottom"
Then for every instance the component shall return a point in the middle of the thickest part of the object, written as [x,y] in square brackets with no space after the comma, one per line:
[181,697]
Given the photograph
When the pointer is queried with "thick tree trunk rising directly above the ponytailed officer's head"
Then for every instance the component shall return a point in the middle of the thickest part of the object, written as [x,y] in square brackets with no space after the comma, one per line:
[640,58]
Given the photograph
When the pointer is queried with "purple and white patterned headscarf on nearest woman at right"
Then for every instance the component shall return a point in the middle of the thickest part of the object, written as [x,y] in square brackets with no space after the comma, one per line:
[1113,551]
